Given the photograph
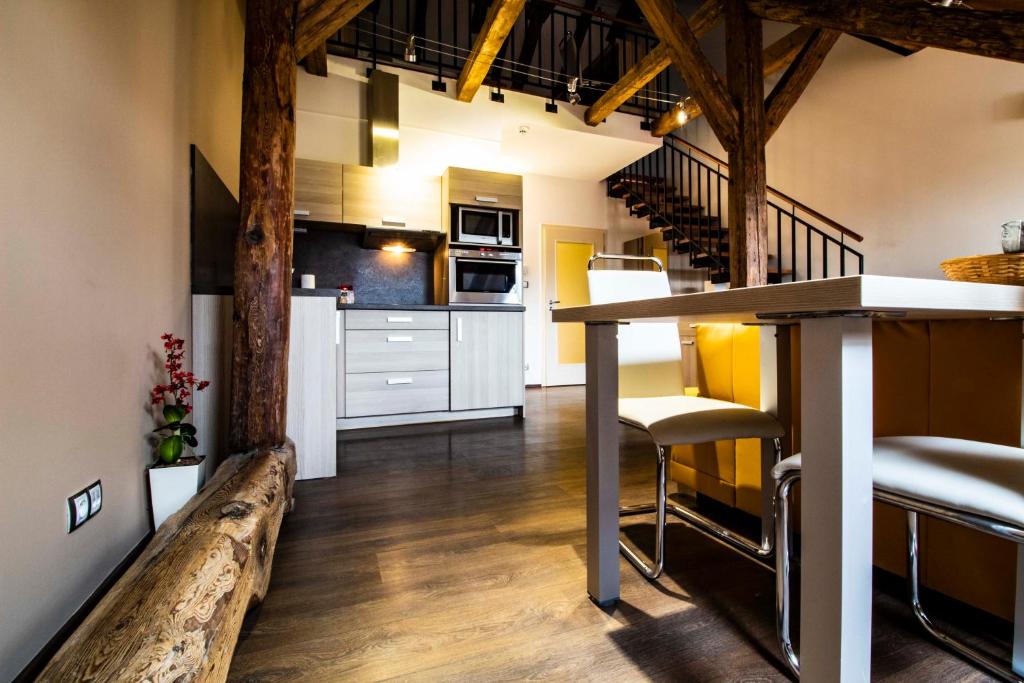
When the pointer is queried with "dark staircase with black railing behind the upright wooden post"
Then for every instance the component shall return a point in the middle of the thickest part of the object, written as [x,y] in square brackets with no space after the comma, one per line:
[684,192]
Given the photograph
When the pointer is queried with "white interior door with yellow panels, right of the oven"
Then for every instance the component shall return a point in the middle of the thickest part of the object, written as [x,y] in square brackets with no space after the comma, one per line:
[567,251]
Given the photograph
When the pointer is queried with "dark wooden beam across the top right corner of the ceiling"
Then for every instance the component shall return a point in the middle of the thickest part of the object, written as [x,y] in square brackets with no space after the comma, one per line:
[986,33]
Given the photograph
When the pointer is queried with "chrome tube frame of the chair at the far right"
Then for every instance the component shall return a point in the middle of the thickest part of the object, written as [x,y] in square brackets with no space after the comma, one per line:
[914,508]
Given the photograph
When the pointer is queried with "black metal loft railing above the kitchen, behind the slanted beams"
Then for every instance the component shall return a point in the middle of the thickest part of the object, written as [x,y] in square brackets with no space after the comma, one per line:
[551,44]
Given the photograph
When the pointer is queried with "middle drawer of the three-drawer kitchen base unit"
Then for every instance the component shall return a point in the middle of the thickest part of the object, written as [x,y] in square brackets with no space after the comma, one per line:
[402,351]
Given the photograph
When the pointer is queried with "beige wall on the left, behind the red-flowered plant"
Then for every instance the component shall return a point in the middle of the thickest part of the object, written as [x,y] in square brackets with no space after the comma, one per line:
[101,101]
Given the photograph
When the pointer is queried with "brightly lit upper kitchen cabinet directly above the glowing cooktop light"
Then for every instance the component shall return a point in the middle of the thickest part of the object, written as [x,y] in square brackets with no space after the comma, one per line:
[390,197]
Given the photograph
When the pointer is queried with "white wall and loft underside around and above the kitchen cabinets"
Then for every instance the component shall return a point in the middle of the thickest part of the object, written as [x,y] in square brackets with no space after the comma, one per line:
[438,132]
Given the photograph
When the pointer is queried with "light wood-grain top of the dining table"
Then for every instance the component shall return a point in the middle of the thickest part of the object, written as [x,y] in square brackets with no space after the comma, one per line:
[886,296]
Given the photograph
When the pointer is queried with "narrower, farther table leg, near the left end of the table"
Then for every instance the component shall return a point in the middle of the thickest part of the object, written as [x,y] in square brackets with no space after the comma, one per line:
[603,462]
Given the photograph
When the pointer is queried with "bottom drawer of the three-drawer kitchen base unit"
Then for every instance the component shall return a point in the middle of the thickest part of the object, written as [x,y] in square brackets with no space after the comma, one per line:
[395,394]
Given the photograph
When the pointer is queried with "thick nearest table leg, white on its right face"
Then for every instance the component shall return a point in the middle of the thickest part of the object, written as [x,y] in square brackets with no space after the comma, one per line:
[836,500]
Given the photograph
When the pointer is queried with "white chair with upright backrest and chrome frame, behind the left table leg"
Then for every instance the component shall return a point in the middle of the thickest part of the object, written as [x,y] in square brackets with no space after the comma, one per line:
[653,399]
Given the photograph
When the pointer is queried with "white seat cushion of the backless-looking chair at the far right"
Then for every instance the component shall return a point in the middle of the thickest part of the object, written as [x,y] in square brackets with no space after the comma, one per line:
[986,480]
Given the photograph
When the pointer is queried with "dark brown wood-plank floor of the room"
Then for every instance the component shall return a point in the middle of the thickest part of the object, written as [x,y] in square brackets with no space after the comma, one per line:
[456,553]
